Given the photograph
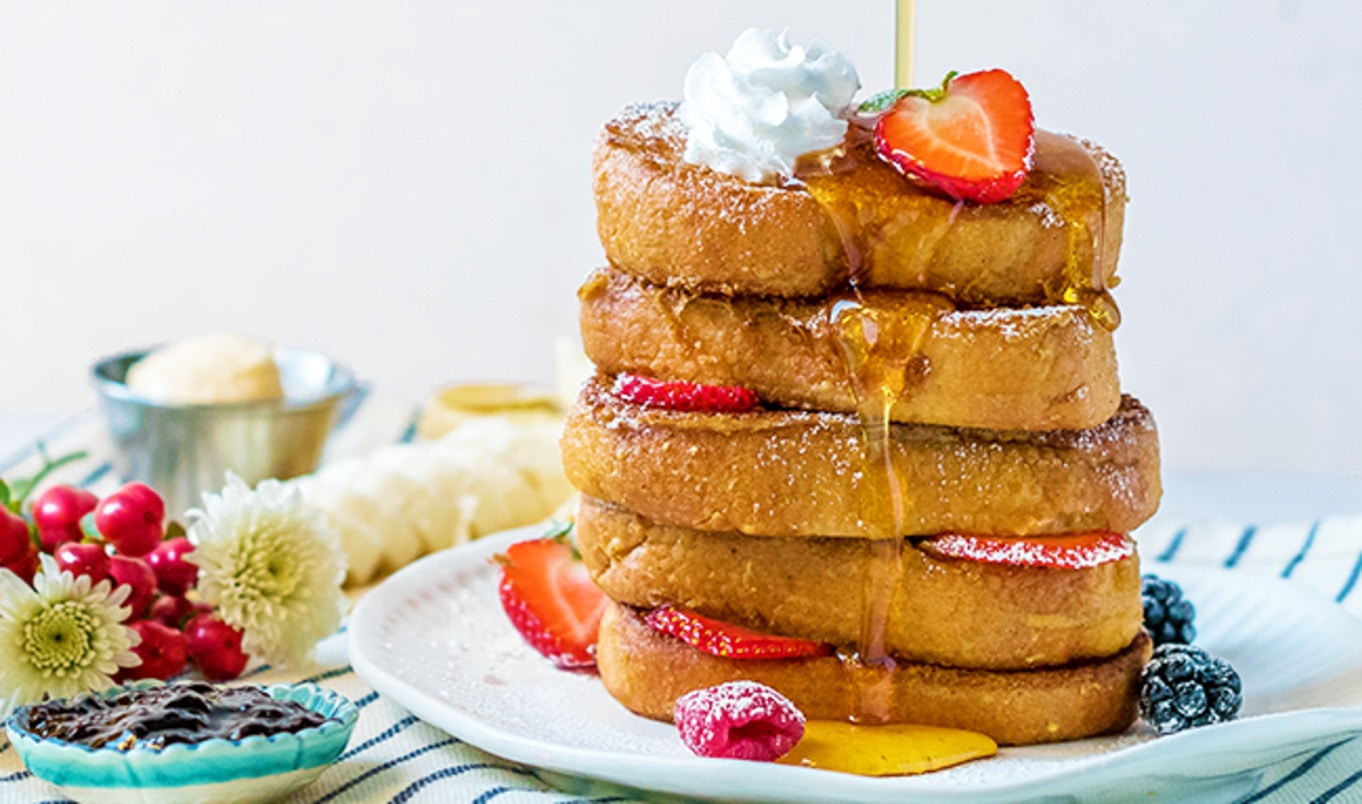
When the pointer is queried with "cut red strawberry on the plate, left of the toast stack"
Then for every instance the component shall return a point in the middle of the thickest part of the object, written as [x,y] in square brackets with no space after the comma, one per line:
[551,600]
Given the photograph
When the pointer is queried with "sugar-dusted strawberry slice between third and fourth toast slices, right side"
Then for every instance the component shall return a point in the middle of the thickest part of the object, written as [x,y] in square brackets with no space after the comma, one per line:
[1070,551]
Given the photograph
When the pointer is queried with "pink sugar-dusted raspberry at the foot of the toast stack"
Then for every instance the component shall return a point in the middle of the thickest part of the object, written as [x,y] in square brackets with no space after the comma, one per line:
[742,720]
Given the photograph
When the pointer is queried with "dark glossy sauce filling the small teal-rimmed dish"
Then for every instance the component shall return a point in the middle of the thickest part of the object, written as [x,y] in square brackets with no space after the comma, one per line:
[156,717]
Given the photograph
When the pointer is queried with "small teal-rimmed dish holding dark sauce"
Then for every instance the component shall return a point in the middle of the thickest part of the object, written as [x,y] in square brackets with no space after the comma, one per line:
[254,769]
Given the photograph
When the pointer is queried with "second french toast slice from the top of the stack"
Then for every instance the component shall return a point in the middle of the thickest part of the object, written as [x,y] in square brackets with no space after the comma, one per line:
[1003,369]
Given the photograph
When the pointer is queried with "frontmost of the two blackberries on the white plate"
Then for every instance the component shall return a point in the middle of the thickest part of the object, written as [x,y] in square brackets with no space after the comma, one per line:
[1186,687]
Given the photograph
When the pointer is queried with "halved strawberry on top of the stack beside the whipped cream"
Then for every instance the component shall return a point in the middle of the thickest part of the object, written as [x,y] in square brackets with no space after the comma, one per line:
[972,138]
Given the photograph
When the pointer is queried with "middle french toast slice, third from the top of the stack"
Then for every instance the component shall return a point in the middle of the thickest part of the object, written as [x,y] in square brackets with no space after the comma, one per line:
[800,474]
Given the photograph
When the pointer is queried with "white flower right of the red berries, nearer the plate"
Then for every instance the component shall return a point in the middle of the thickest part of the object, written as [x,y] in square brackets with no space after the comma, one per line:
[272,566]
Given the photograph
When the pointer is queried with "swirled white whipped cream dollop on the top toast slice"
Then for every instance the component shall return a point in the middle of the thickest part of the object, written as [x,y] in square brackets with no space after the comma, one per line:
[757,111]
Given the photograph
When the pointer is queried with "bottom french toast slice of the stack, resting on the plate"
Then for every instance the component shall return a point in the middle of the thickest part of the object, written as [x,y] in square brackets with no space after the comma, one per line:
[646,672]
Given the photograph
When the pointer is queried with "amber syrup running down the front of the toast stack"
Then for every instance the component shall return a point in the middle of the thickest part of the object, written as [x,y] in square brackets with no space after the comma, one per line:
[890,231]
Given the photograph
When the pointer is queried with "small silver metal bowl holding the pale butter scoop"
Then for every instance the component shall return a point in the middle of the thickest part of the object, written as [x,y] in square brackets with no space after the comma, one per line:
[185,450]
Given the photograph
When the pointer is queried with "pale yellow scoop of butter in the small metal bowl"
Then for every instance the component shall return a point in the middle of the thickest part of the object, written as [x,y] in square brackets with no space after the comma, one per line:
[213,369]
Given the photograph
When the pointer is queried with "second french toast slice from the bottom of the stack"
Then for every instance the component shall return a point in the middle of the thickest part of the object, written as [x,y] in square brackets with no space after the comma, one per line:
[953,613]
